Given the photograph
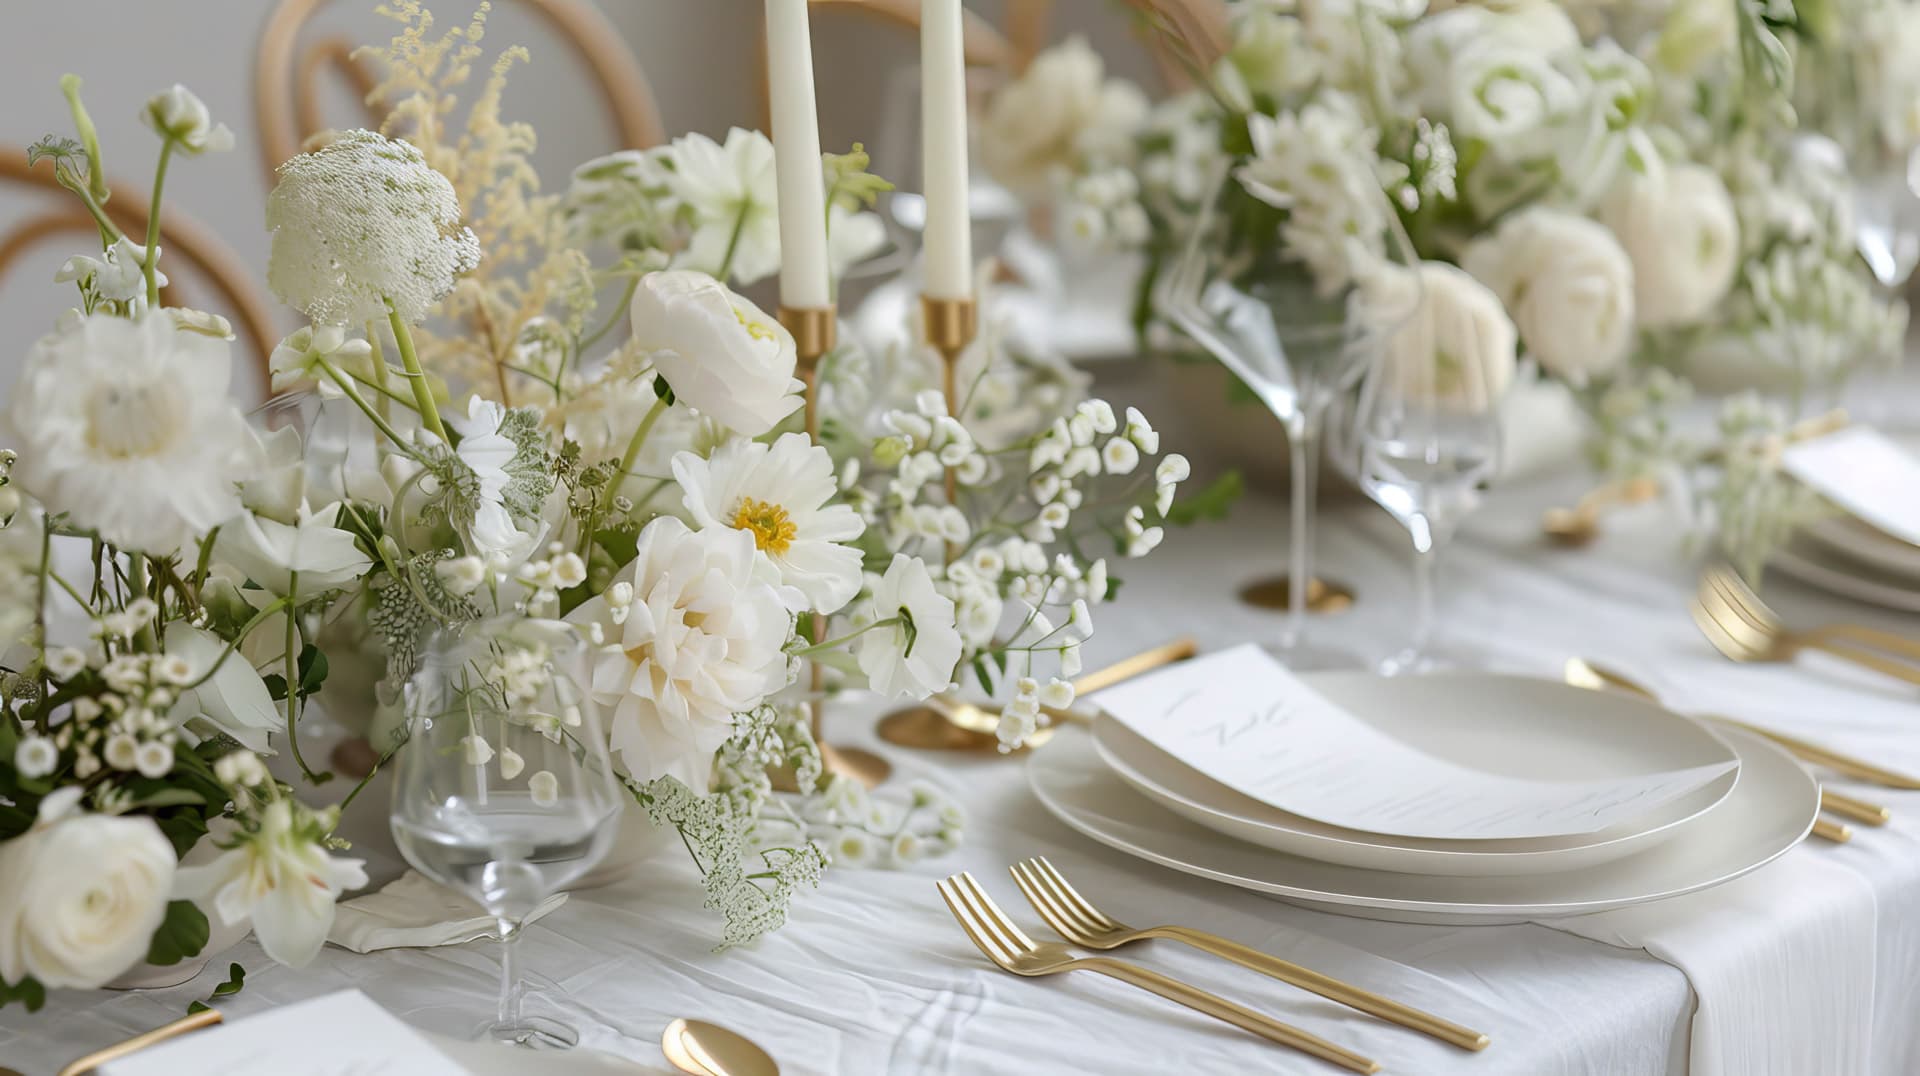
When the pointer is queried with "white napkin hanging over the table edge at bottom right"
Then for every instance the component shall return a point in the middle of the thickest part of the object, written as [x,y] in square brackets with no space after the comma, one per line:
[1781,962]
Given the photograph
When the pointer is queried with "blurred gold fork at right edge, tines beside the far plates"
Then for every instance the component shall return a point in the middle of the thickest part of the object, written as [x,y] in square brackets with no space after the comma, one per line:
[1746,629]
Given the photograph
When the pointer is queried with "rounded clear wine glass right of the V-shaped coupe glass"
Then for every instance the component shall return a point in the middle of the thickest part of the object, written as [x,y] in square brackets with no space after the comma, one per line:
[1426,441]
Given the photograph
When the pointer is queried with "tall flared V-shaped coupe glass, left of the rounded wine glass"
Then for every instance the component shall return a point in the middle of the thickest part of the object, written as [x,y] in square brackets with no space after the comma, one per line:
[1295,343]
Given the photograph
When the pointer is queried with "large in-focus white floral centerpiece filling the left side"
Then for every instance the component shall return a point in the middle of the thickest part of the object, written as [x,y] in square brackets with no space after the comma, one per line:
[183,583]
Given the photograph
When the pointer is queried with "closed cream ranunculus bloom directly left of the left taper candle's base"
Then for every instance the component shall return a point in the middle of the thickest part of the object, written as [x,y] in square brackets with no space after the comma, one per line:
[719,353]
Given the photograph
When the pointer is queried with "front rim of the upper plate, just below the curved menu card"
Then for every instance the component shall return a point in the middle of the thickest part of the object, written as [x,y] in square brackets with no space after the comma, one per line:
[1237,816]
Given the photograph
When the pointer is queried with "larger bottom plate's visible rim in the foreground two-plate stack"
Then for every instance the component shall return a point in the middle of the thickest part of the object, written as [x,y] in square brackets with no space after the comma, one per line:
[1769,812]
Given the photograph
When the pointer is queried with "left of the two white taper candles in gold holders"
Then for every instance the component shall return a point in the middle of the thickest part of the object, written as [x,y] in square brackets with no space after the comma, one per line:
[804,214]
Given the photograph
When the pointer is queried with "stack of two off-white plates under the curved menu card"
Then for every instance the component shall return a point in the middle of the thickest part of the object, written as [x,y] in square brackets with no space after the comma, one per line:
[1126,793]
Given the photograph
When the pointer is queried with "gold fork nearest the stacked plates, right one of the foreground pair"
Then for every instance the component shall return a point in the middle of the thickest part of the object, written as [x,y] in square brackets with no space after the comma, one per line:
[1084,925]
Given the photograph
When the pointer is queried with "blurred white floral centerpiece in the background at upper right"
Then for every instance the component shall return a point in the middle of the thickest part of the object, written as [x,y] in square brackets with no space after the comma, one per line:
[1616,193]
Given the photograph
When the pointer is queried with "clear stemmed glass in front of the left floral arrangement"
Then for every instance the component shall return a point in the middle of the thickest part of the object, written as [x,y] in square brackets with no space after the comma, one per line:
[504,789]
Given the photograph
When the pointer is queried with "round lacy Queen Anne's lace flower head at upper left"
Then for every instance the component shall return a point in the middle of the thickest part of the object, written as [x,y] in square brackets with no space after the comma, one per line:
[362,224]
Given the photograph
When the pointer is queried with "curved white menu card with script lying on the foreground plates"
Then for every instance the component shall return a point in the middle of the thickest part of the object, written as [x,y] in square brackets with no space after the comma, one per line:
[1245,721]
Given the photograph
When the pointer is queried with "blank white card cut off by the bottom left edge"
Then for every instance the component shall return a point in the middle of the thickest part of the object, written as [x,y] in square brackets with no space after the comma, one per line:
[335,1035]
